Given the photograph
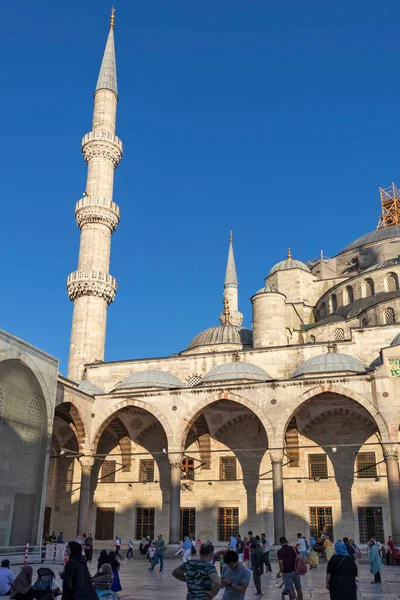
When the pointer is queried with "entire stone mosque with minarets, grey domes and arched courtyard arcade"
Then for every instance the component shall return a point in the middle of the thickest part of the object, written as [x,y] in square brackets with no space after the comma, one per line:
[291,426]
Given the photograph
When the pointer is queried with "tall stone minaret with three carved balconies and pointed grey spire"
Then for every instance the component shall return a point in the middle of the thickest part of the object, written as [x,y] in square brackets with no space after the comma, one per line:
[91,287]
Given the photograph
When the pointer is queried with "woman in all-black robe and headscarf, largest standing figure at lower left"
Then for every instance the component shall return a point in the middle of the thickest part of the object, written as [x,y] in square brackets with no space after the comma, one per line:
[77,583]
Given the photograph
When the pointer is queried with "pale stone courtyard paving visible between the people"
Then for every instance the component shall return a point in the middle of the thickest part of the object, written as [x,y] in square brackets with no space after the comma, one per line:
[138,583]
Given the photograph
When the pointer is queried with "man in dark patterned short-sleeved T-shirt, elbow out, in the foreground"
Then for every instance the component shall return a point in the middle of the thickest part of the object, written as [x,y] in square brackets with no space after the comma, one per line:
[200,575]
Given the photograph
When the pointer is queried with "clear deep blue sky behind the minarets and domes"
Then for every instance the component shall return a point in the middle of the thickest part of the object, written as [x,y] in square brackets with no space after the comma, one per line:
[277,119]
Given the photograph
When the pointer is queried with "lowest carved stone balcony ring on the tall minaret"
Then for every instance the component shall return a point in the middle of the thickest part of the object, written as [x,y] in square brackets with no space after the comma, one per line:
[91,283]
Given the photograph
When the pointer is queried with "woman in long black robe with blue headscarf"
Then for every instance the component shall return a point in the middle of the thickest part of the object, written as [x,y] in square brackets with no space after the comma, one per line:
[341,575]
